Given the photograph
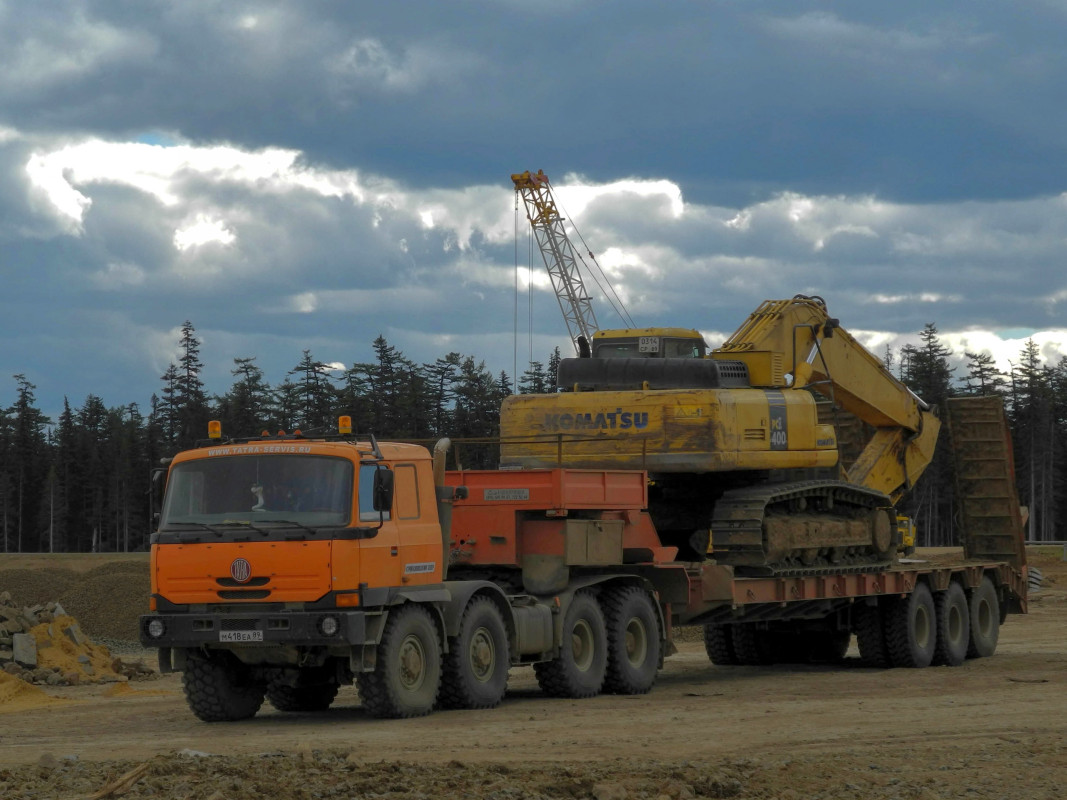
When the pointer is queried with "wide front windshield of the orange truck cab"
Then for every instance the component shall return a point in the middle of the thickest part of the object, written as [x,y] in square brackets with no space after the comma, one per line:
[258,490]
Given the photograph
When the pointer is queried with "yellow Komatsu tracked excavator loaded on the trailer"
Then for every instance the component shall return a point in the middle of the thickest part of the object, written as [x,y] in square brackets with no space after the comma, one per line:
[741,469]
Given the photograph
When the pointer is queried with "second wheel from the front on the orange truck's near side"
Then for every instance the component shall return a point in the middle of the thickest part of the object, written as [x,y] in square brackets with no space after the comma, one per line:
[476,667]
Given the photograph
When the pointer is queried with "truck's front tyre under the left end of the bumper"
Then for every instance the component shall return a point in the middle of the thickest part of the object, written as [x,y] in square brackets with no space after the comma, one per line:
[219,689]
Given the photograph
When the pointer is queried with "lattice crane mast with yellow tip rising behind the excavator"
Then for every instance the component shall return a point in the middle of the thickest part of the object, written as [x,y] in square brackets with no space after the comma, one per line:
[559,255]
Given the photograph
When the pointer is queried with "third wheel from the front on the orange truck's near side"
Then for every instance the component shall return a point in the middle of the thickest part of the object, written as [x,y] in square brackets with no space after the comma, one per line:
[580,669]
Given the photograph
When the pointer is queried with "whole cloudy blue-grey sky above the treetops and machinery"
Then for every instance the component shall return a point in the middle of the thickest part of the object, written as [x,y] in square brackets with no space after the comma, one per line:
[296,175]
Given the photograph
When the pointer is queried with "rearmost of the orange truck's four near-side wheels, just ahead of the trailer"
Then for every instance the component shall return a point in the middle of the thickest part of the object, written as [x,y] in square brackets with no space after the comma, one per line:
[633,642]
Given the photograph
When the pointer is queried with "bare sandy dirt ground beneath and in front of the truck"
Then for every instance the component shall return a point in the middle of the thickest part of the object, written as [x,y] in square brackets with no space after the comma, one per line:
[995,728]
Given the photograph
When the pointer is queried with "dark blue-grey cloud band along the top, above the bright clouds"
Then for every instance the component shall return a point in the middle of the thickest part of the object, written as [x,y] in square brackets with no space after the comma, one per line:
[736,102]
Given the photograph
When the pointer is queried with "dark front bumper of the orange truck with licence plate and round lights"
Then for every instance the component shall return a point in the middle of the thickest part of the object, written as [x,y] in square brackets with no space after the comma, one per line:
[279,629]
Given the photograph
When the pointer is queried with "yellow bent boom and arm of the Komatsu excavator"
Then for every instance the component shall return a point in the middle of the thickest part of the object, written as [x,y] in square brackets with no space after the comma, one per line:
[797,344]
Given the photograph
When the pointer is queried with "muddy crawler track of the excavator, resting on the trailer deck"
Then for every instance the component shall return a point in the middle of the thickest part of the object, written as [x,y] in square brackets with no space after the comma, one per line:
[804,527]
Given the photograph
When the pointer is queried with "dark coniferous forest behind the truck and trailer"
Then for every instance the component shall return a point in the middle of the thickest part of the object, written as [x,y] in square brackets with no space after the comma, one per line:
[84,483]
